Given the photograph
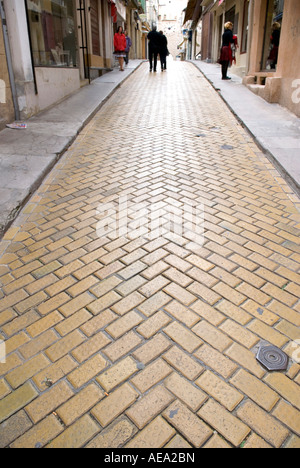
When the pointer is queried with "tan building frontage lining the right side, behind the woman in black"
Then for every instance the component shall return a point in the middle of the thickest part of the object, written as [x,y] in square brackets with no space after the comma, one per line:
[268,55]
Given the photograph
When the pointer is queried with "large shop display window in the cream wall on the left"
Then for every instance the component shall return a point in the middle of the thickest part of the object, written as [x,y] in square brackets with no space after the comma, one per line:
[52,32]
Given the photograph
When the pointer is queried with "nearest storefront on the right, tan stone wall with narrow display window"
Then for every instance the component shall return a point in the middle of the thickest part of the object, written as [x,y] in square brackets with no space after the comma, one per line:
[274,59]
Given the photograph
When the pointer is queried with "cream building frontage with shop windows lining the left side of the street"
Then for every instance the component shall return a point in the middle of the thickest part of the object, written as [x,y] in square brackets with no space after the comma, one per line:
[57,46]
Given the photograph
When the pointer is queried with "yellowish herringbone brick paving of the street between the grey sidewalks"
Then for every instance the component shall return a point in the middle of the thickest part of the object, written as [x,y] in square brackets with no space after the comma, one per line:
[146,337]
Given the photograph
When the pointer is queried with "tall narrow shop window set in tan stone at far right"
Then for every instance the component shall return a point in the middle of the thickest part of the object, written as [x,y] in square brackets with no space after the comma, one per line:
[271,42]
